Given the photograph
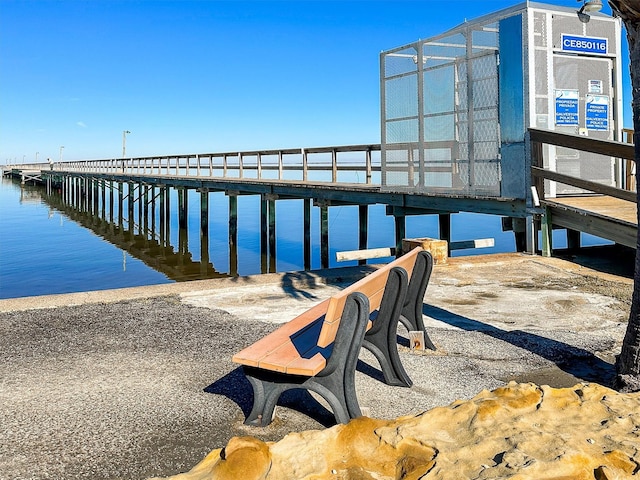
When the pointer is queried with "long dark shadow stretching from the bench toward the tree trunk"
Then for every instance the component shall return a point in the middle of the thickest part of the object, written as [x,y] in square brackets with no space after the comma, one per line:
[576,361]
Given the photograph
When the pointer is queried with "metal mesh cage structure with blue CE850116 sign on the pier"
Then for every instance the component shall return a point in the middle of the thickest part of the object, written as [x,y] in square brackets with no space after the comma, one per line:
[455,108]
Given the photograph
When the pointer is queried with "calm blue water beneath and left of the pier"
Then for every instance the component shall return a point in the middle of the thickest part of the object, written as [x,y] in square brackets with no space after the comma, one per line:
[47,248]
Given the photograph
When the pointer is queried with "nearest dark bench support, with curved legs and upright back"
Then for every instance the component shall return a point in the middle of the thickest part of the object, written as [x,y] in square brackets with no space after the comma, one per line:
[335,383]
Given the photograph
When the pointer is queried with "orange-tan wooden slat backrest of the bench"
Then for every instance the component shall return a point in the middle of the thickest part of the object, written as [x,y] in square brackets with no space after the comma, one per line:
[372,286]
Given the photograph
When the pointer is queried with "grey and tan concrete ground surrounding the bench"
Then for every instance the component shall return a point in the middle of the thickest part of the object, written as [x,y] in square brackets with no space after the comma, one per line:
[135,383]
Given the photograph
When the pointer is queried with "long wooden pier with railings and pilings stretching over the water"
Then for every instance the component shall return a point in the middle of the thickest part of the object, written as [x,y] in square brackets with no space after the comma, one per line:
[332,176]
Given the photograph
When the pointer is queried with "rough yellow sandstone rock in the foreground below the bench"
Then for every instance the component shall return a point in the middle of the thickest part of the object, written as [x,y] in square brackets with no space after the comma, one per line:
[519,432]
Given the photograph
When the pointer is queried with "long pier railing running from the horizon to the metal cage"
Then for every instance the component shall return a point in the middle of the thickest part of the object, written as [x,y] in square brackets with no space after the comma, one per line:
[326,164]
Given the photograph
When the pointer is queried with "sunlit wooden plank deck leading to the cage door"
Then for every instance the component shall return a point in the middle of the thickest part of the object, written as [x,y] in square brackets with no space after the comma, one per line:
[606,217]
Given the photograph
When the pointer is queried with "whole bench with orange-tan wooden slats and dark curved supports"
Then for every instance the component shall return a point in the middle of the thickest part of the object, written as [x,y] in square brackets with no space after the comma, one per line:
[318,350]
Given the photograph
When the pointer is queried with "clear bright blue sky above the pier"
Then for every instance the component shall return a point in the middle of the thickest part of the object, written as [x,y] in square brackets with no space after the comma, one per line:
[203,76]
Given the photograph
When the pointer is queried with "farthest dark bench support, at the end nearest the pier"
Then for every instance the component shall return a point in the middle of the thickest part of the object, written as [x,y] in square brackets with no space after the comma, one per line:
[411,316]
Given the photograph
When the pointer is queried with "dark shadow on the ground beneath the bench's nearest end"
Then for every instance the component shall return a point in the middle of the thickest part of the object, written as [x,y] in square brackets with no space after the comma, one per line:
[235,386]
